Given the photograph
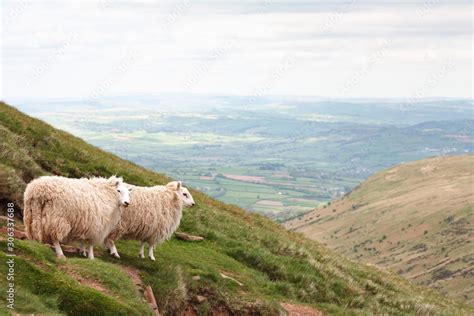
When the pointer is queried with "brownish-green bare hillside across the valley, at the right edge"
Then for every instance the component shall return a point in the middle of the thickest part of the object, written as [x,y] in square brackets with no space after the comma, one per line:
[416,219]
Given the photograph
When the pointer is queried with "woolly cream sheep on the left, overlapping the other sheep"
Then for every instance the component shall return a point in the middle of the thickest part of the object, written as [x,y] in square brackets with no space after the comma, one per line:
[58,209]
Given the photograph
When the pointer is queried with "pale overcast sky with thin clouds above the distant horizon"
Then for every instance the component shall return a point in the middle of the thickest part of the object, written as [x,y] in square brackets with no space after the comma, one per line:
[341,49]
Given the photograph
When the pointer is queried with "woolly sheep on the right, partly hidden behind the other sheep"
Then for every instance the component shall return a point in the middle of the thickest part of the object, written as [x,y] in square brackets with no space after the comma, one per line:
[153,217]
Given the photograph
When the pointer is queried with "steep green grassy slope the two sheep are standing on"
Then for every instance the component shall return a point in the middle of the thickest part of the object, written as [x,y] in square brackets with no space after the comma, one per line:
[268,265]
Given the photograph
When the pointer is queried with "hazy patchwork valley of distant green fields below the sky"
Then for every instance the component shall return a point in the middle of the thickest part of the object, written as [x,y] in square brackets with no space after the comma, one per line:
[280,157]
